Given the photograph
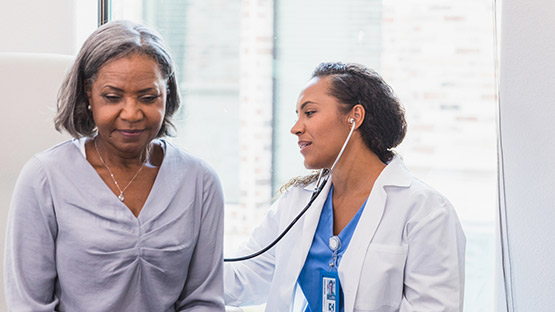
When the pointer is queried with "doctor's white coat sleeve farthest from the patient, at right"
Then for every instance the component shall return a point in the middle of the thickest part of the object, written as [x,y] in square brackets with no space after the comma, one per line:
[434,271]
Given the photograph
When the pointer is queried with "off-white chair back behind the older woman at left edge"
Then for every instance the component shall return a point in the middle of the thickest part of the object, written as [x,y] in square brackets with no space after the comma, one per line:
[29,85]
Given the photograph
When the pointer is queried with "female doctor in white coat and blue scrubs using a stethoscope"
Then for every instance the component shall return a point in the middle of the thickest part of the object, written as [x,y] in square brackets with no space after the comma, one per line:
[376,238]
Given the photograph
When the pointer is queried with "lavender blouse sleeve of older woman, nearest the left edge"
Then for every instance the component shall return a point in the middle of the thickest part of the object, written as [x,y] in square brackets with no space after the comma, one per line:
[29,263]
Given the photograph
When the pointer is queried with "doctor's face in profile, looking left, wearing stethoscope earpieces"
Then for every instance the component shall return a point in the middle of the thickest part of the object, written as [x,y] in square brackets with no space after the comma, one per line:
[321,128]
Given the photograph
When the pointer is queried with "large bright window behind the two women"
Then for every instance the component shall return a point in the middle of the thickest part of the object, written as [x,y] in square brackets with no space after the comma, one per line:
[242,63]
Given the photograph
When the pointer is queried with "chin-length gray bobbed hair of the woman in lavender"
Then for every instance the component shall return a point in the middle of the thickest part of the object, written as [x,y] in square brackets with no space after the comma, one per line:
[111,41]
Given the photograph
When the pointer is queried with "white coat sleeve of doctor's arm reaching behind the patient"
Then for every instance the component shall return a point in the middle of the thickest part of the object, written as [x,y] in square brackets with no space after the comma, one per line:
[248,282]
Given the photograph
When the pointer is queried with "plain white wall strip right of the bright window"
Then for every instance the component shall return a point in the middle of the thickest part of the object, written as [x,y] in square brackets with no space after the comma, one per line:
[527,123]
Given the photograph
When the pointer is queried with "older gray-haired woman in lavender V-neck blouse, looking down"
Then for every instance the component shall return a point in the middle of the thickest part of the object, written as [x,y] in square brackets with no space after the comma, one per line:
[117,219]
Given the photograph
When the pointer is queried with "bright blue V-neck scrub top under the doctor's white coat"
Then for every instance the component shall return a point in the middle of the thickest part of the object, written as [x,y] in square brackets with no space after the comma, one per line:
[320,254]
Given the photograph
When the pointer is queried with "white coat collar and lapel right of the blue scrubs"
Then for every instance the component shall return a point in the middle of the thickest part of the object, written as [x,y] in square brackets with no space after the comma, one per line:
[395,174]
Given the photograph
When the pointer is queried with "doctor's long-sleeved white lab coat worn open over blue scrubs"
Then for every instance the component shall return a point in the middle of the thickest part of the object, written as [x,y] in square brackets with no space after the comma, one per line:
[406,253]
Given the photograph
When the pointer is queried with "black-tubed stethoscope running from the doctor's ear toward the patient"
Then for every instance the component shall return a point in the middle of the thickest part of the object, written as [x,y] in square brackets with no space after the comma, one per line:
[317,190]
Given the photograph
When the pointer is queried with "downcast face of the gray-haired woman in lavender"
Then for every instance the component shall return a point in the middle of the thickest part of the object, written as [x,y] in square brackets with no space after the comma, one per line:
[128,102]
